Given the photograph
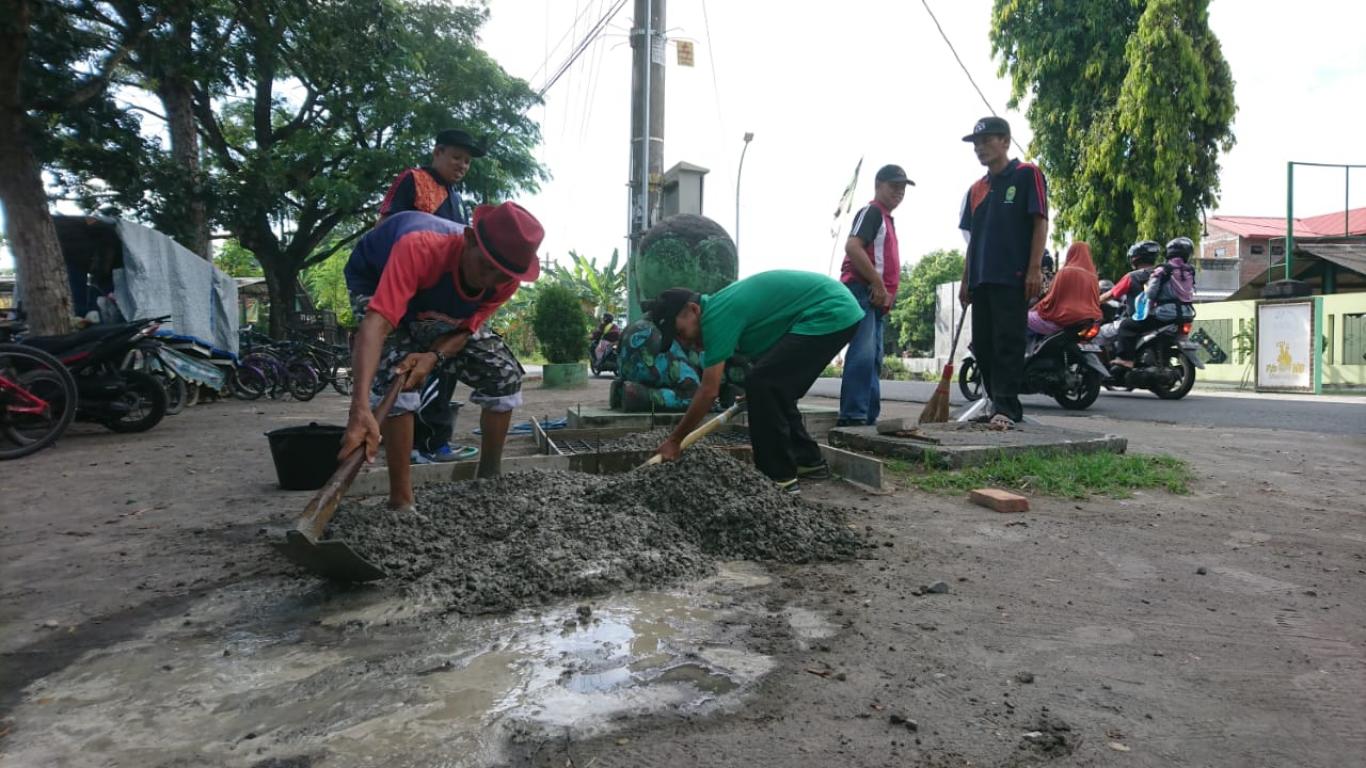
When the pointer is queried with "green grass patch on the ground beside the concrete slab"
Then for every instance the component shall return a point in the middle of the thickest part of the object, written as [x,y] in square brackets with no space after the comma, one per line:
[1074,476]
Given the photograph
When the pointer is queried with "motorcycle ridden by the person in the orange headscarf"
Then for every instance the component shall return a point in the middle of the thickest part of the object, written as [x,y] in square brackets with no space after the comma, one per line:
[1065,367]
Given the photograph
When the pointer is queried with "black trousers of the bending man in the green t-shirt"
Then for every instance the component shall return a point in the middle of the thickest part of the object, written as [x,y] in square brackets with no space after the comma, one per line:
[772,389]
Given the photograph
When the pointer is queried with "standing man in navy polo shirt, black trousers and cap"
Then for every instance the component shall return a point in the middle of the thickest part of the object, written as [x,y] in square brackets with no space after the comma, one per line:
[1005,219]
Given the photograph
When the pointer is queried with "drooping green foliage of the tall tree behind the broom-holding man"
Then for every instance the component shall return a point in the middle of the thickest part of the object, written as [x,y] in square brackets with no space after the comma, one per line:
[1130,105]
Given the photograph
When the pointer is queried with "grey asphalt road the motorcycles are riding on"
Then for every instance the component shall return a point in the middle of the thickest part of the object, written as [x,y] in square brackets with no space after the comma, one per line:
[1208,408]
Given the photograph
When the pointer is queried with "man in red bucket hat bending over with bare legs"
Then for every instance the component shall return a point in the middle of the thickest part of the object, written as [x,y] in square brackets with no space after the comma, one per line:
[424,288]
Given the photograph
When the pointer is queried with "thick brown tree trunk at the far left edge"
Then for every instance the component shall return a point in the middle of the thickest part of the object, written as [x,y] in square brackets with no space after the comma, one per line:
[33,237]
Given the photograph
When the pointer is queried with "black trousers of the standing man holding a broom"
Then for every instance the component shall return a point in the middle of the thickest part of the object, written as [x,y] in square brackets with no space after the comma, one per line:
[1001,315]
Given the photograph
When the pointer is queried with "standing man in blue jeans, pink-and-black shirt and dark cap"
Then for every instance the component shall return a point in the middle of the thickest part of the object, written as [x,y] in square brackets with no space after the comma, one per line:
[872,270]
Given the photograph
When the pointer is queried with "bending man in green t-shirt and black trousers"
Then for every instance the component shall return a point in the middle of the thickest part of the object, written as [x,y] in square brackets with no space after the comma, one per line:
[790,325]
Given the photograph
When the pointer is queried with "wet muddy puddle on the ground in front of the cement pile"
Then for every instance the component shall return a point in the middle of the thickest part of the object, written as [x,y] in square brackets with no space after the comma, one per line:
[252,678]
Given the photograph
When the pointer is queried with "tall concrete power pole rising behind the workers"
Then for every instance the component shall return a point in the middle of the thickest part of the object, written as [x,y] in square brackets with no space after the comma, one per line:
[648,47]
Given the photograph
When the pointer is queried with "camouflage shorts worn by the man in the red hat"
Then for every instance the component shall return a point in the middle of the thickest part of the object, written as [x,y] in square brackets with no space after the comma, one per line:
[487,366]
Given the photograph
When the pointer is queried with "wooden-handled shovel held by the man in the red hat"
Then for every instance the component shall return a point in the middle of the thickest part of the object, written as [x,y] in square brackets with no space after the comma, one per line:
[304,543]
